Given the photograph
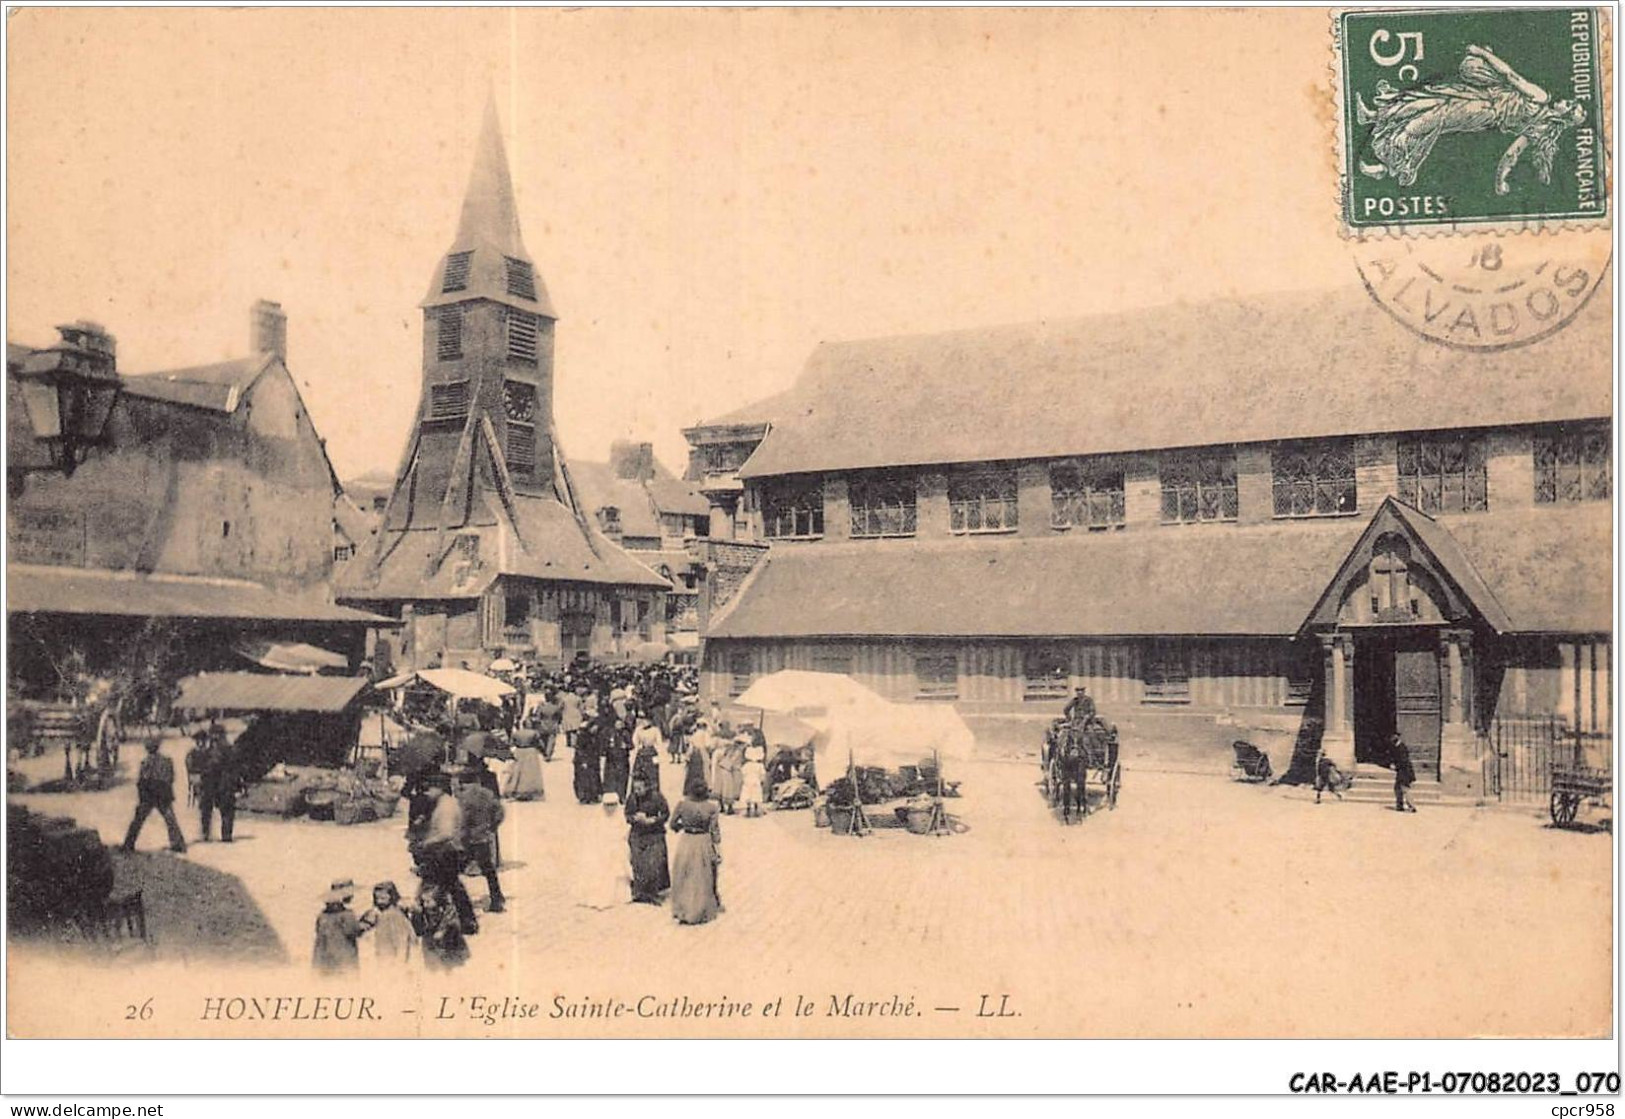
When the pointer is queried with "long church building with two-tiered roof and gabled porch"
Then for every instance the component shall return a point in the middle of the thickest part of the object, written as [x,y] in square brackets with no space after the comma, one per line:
[1283,519]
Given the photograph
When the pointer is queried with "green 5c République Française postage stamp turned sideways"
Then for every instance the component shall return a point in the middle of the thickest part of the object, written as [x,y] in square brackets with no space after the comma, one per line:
[1471,116]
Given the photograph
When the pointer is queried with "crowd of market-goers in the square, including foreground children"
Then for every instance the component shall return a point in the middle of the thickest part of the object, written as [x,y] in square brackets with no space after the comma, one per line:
[618,724]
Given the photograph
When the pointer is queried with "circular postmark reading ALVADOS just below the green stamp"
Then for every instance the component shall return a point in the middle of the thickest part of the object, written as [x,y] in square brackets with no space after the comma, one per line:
[1484,292]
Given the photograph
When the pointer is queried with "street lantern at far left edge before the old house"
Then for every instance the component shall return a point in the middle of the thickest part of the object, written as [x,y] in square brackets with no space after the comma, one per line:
[69,392]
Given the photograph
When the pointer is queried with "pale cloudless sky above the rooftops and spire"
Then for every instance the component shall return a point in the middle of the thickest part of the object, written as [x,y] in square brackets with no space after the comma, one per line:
[708,194]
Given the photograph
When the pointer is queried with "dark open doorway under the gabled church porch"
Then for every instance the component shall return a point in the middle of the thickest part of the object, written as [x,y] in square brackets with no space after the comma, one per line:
[1398,688]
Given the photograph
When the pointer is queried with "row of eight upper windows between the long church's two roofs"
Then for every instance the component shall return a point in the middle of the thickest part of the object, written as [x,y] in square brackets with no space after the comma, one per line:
[1439,473]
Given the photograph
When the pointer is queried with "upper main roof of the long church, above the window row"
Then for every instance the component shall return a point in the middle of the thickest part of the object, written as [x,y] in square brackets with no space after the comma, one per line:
[1220,373]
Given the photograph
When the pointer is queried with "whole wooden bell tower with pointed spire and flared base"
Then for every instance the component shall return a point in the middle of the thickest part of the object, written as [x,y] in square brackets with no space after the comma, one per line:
[487,548]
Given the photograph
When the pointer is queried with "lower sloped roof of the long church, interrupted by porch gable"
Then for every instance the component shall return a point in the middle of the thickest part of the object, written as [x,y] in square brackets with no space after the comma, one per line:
[1549,569]
